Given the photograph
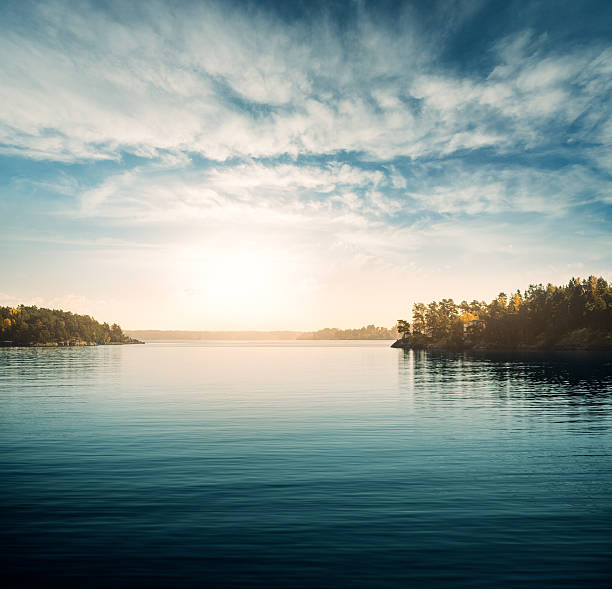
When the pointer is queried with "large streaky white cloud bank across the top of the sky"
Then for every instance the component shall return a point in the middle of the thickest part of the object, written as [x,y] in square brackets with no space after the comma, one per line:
[214,81]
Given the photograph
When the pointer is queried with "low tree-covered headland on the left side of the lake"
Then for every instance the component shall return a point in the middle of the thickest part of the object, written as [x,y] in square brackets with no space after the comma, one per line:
[37,326]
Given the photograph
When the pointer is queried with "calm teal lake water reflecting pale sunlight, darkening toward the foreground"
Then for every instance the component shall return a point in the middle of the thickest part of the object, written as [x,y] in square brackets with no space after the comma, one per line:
[304,464]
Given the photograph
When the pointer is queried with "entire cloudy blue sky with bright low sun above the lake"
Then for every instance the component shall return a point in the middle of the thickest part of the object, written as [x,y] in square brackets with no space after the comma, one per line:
[299,165]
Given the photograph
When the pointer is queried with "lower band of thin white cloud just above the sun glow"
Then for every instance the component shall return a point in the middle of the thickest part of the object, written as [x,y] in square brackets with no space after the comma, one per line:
[271,195]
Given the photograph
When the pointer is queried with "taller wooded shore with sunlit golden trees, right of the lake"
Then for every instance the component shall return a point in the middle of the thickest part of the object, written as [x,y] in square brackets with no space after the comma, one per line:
[574,316]
